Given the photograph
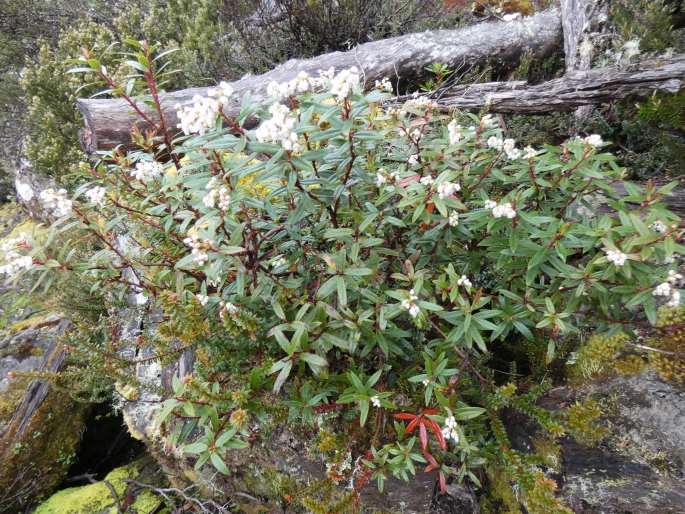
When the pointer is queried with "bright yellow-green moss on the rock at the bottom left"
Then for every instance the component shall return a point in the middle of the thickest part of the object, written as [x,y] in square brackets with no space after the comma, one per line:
[98,497]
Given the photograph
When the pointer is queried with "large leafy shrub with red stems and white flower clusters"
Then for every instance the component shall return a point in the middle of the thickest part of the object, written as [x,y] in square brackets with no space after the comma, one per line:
[354,262]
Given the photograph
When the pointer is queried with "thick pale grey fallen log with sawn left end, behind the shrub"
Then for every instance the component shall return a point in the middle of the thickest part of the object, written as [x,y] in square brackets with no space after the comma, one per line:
[108,123]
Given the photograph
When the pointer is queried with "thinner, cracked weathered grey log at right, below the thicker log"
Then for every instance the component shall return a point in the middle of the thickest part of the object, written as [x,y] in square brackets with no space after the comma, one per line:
[573,90]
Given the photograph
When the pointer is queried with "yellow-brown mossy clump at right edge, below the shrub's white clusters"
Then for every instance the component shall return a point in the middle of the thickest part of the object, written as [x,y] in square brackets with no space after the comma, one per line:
[670,338]
